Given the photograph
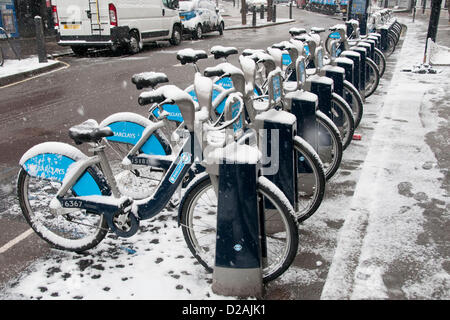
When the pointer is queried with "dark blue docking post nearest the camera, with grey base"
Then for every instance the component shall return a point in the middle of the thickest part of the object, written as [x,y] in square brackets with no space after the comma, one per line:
[238,262]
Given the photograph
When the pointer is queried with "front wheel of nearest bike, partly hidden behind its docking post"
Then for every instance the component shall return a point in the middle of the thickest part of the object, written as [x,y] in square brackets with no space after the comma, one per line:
[199,226]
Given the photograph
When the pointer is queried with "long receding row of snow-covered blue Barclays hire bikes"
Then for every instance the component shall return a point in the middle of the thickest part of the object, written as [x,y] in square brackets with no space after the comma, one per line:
[137,166]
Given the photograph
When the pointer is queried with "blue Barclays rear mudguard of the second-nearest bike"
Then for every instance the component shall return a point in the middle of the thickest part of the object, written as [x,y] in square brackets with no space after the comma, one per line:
[129,127]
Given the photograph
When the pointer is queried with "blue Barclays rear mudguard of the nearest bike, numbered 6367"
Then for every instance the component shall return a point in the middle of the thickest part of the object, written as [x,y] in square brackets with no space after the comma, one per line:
[51,161]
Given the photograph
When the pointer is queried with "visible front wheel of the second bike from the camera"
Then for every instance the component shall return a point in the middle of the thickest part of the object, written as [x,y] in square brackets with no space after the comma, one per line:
[305,153]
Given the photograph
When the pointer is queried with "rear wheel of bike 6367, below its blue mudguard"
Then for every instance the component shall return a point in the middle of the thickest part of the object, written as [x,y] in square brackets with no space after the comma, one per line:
[73,230]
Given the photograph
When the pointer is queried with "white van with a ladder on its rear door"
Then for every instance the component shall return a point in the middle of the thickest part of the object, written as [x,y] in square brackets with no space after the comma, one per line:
[84,24]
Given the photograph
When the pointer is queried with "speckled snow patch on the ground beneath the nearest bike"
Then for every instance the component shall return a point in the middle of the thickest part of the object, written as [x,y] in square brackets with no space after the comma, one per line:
[154,264]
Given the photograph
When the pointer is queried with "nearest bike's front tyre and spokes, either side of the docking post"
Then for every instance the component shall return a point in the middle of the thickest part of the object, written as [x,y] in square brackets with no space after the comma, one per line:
[205,255]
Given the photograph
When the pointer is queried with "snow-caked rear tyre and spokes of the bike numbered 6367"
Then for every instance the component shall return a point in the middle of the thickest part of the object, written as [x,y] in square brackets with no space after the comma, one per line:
[56,238]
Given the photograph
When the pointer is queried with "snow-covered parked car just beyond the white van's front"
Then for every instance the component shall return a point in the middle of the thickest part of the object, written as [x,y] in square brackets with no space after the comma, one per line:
[199,17]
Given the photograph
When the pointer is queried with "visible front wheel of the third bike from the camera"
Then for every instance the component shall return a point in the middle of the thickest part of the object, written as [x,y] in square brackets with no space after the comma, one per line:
[332,159]
